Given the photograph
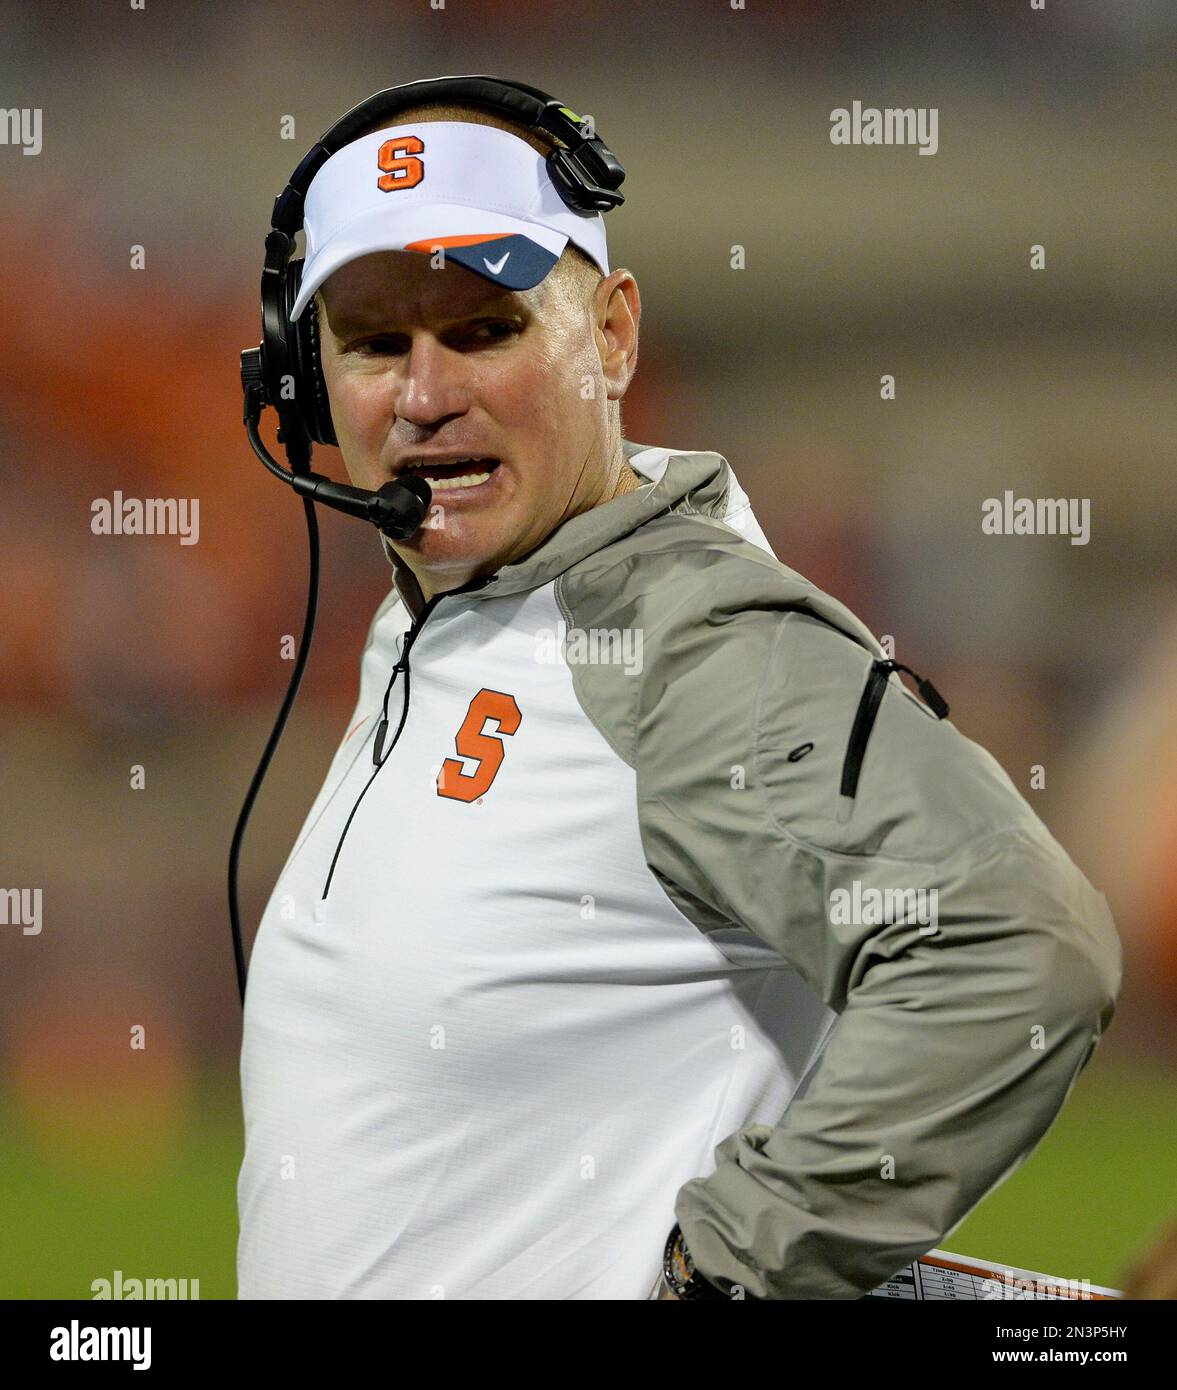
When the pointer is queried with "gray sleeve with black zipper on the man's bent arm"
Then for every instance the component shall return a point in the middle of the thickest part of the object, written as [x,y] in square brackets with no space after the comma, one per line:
[955,1047]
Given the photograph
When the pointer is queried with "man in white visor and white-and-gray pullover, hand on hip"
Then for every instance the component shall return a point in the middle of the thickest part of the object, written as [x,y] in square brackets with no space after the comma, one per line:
[658,943]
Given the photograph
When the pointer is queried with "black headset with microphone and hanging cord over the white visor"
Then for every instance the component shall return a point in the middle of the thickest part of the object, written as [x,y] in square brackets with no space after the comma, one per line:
[286,370]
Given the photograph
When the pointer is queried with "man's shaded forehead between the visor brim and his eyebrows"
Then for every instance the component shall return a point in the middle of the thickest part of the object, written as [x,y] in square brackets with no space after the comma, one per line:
[391,284]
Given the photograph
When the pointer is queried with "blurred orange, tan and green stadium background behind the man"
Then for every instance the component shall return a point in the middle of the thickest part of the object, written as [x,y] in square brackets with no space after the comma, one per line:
[163,129]
